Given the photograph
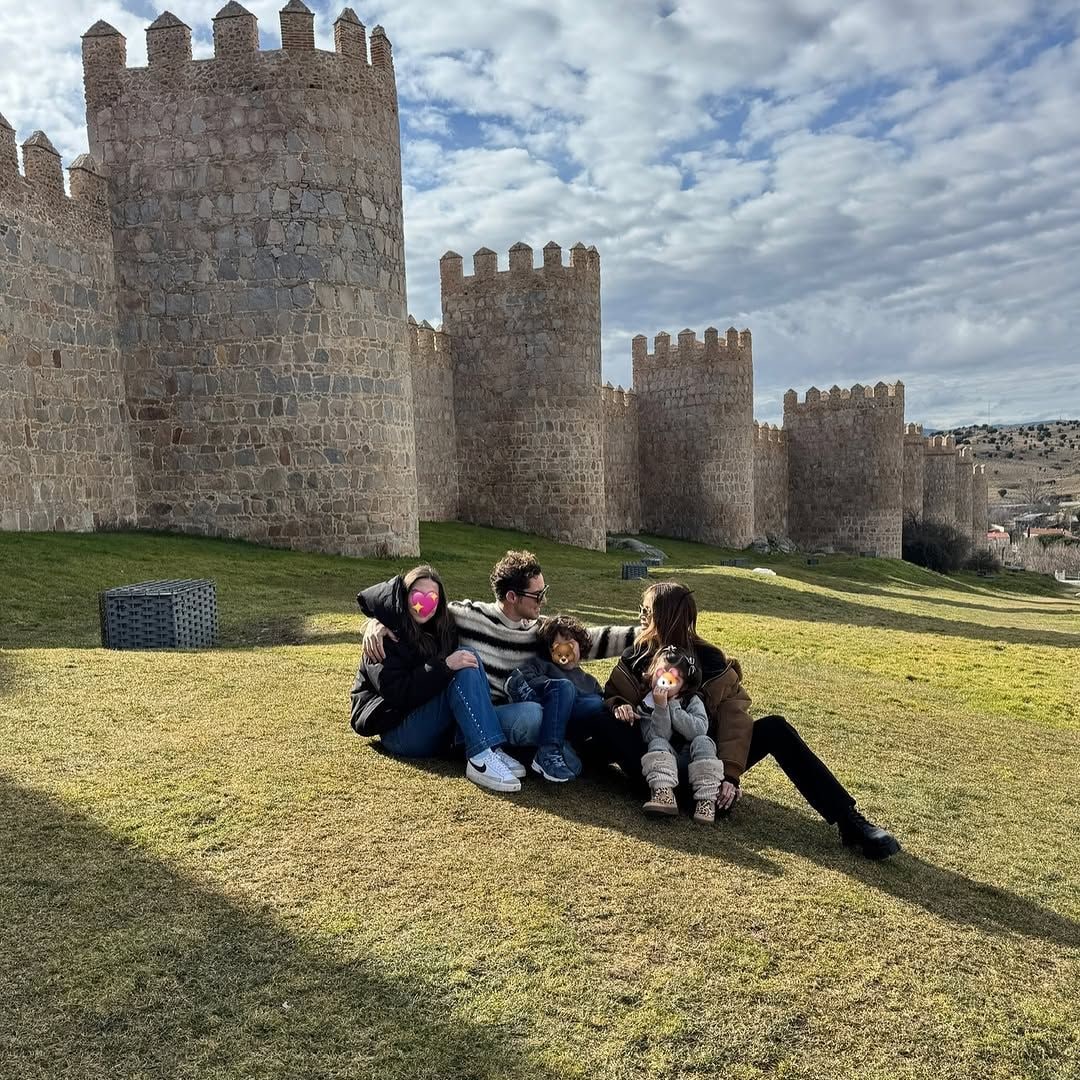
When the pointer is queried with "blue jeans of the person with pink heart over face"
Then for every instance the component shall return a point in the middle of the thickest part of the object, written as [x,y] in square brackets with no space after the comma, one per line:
[466,705]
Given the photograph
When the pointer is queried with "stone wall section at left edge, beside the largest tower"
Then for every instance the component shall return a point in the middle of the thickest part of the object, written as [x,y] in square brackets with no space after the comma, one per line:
[65,458]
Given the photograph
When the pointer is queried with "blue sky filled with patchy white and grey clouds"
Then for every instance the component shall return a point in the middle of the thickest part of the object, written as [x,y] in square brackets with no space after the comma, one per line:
[879,190]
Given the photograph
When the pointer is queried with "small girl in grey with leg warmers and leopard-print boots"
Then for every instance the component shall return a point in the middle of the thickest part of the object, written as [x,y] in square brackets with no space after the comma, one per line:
[676,726]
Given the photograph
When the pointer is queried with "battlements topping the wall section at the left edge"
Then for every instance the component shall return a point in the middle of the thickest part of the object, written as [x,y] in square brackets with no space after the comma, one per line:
[38,192]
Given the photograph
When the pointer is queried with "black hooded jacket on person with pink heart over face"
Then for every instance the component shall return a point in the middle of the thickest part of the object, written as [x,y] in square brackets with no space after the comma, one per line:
[384,695]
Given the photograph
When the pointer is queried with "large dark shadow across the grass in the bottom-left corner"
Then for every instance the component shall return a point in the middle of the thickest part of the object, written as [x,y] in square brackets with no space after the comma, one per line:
[115,965]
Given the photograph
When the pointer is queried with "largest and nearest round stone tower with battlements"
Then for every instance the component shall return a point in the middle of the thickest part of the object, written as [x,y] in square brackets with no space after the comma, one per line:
[258,225]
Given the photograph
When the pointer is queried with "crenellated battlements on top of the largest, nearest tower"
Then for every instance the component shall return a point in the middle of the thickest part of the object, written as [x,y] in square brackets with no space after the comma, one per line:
[238,60]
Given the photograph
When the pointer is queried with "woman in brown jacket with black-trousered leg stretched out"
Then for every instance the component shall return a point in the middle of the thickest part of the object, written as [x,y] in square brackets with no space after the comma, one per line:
[670,619]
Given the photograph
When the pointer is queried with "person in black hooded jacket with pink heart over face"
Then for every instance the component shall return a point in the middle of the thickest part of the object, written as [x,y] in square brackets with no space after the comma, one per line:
[435,686]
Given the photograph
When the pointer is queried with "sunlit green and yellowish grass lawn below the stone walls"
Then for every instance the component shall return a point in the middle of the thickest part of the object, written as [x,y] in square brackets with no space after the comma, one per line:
[205,874]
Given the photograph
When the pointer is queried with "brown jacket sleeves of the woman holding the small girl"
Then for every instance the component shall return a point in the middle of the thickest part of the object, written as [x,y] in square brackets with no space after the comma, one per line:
[722,691]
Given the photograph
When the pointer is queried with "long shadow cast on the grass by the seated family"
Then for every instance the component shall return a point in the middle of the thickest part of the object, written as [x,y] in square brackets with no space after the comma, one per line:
[606,800]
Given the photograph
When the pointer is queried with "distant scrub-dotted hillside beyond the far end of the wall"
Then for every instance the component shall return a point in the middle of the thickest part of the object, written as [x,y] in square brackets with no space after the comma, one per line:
[1015,454]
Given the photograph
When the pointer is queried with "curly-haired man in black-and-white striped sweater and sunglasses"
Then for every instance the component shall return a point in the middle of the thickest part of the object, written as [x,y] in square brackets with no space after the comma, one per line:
[505,636]
